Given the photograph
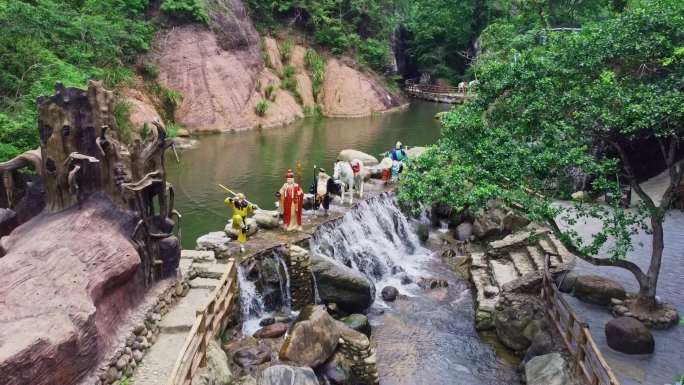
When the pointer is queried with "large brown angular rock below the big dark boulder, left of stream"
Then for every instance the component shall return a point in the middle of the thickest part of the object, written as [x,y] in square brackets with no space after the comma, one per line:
[312,338]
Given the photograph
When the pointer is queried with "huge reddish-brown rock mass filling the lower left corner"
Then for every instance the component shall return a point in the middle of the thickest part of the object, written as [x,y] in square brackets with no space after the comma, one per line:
[62,276]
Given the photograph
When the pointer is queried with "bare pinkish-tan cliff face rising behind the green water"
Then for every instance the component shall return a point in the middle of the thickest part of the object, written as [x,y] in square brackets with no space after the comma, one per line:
[220,71]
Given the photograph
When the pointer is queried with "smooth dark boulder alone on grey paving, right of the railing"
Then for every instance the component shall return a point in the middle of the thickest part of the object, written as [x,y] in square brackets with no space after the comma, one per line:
[629,335]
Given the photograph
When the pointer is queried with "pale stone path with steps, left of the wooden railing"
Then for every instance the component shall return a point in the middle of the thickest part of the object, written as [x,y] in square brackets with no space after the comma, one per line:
[157,364]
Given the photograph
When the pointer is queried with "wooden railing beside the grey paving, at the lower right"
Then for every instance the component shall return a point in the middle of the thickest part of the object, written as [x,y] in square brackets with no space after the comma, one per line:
[588,360]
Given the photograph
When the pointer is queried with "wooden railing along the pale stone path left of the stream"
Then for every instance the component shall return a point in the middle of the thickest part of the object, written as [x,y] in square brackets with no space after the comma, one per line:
[209,322]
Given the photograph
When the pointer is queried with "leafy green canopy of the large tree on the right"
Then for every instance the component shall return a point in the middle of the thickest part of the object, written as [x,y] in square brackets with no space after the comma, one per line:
[544,103]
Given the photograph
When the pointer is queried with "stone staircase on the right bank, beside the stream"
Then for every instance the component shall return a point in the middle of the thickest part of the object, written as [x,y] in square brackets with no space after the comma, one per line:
[514,263]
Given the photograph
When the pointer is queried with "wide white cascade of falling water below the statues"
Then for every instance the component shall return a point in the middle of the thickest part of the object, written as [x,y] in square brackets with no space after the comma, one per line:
[376,239]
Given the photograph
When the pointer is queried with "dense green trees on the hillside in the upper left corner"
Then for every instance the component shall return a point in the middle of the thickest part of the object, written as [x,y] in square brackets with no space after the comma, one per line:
[48,41]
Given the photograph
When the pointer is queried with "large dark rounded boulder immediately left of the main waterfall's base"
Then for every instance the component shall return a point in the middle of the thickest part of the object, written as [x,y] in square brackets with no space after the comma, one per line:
[348,288]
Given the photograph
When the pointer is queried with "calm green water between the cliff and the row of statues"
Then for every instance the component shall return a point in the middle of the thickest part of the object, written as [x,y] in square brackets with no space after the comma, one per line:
[255,162]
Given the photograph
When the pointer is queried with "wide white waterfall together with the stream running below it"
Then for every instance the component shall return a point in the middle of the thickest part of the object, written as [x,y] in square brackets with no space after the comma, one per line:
[426,337]
